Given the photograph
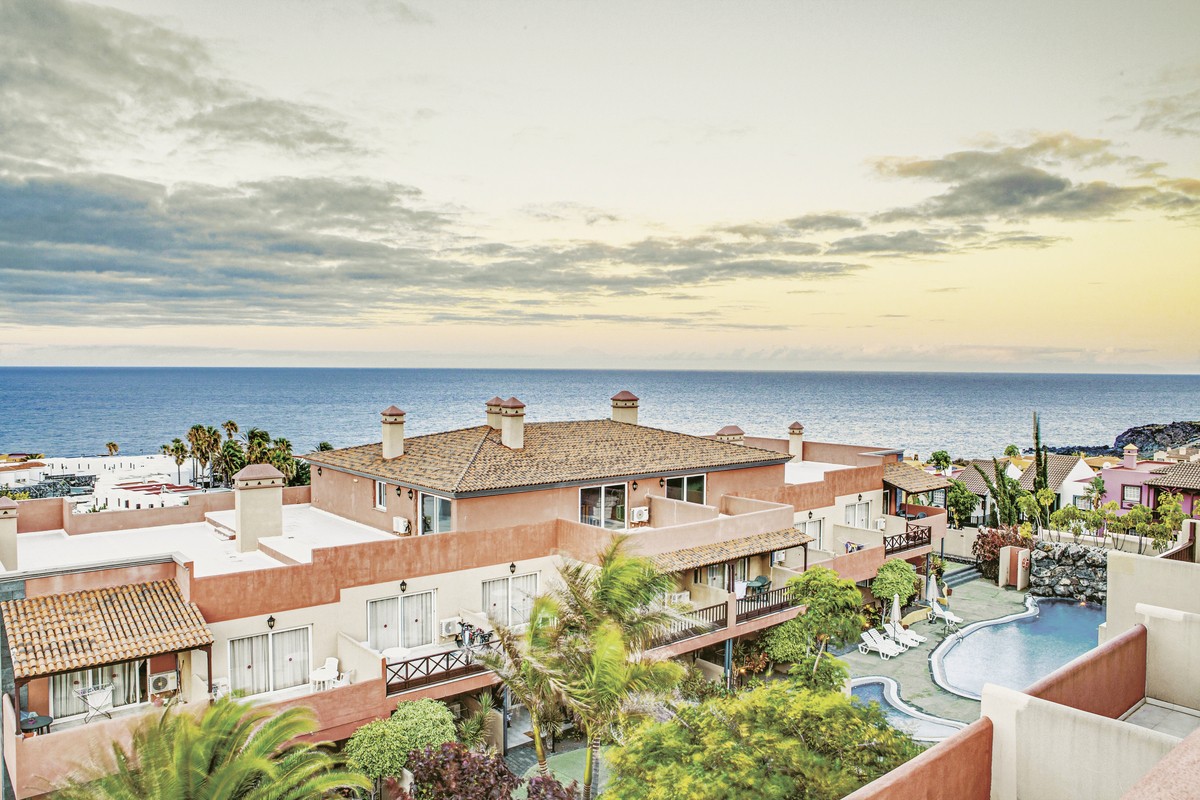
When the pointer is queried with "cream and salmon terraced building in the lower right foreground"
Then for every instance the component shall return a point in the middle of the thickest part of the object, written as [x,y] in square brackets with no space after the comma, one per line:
[1120,723]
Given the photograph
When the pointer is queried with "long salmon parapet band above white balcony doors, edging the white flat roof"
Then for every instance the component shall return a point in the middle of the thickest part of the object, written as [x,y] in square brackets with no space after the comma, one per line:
[260,592]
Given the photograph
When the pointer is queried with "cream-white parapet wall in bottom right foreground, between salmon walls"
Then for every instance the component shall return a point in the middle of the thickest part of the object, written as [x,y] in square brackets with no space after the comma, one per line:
[1046,751]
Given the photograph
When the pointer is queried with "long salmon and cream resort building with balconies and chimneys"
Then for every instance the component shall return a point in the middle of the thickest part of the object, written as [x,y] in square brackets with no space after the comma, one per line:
[359,592]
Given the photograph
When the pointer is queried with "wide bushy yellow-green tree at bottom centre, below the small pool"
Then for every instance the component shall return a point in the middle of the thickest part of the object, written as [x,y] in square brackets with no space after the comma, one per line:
[772,743]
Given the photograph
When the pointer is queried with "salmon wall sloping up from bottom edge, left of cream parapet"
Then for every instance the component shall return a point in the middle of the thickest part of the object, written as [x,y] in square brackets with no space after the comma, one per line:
[959,767]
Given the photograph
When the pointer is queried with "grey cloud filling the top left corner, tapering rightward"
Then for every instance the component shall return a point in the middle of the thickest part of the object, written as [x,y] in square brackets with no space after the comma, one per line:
[77,79]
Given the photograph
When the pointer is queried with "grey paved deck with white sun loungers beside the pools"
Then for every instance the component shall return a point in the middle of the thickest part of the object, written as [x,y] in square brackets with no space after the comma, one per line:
[973,601]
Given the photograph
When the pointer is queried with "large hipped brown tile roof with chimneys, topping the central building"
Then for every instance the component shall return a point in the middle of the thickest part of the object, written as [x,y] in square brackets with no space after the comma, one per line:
[475,460]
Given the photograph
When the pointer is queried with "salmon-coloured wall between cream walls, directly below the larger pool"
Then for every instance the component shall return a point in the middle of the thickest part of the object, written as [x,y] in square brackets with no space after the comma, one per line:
[1107,681]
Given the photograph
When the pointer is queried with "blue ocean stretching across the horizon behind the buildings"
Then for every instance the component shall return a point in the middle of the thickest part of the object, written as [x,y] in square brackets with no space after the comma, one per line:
[75,412]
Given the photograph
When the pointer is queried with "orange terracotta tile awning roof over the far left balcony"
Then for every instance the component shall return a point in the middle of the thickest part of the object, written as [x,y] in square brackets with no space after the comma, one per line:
[58,634]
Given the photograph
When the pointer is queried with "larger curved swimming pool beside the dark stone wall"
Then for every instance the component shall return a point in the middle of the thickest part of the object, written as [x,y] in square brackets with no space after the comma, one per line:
[1017,651]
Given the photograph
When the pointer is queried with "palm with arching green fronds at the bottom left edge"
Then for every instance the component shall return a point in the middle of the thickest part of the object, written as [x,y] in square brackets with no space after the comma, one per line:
[232,753]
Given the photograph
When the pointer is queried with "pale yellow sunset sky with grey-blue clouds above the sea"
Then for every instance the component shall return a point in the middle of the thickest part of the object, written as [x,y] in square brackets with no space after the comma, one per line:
[797,185]
